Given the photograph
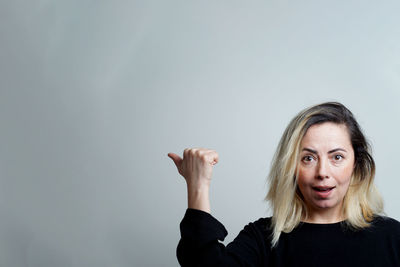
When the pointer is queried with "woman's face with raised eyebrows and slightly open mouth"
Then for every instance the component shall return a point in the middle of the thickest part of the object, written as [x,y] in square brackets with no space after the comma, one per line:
[325,168]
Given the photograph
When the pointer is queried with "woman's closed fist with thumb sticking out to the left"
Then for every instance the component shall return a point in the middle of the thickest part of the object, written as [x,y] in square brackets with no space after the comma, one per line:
[196,165]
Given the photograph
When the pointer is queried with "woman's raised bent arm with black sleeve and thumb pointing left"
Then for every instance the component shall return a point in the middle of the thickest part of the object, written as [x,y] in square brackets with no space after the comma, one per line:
[200,232]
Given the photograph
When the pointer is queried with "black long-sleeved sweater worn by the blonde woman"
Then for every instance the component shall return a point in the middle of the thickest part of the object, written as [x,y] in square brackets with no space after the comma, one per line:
[307,245]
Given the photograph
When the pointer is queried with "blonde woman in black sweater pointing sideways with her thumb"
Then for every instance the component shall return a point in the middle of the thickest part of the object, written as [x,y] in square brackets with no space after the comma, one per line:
[326,209]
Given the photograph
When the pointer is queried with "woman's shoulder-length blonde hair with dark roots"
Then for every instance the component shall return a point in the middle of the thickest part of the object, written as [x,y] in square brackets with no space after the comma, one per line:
[362,200]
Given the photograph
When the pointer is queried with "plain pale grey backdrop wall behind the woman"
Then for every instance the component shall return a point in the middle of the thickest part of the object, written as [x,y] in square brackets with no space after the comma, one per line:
[94,94]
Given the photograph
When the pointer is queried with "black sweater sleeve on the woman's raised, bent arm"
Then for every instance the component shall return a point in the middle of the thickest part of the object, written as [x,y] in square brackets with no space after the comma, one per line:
[199,245]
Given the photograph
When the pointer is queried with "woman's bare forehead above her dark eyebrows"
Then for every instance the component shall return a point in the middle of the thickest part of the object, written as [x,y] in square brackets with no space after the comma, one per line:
[327,133]
